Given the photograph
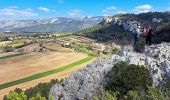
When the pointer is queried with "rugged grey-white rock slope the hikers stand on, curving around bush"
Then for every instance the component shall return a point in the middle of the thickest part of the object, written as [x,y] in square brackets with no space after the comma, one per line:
[83,83]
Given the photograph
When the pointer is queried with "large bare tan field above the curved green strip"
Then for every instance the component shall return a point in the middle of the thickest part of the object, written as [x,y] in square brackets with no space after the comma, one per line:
[29,64]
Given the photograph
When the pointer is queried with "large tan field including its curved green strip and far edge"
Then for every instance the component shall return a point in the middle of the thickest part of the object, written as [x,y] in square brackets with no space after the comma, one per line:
[32,66]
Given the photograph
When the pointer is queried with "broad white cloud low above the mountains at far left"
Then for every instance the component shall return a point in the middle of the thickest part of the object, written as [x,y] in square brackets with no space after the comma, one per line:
[14,12]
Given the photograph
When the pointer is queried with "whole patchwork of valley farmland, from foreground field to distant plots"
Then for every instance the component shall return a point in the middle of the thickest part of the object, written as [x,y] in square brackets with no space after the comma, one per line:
[43,60]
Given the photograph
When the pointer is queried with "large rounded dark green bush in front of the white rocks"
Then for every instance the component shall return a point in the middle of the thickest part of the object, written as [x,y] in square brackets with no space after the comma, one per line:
[124,78]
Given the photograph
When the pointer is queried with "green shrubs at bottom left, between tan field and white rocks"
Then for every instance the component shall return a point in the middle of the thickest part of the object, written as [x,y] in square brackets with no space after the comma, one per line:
[39,92]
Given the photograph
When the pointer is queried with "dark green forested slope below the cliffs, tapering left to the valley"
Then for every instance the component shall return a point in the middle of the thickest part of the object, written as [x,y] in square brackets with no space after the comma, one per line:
[107,32]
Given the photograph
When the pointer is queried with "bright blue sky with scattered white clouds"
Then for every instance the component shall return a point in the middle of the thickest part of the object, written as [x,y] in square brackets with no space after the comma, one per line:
[42,9]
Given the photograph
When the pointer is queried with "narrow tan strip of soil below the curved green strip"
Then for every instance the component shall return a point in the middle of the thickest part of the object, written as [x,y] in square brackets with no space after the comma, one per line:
[59,75]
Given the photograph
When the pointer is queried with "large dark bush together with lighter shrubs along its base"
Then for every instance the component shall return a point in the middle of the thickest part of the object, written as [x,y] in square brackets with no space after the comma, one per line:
[131,82]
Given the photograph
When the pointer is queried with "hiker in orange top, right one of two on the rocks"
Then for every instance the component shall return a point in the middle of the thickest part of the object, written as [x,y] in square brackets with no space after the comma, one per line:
[148,35]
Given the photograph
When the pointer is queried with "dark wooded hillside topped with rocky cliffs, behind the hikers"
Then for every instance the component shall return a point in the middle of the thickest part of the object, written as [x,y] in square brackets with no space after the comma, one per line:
[118,28]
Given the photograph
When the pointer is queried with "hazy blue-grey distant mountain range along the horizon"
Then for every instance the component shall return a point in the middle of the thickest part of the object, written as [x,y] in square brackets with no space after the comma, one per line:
[58,24]
